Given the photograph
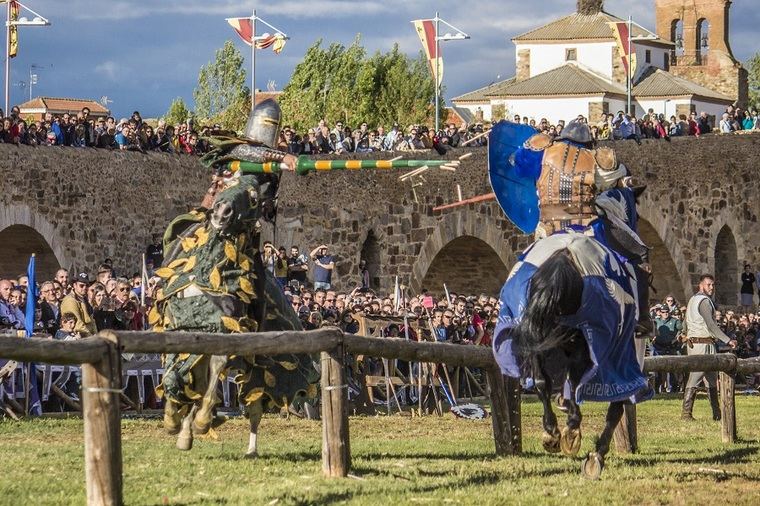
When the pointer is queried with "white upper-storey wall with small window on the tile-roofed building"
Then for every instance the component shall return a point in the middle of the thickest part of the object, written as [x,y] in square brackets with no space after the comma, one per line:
[544,57]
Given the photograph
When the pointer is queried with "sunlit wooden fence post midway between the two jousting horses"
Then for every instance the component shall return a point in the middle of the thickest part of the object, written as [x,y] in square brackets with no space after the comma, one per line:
[336,448]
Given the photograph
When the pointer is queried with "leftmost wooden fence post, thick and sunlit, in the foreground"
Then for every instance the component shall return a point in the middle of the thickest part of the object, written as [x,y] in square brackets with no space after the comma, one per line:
[101,386]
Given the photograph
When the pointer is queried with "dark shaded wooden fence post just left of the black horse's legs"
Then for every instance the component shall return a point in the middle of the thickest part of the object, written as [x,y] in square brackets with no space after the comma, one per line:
[505,413]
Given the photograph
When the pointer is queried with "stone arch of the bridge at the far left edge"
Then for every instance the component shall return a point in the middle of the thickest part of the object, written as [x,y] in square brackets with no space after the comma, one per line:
[23,232]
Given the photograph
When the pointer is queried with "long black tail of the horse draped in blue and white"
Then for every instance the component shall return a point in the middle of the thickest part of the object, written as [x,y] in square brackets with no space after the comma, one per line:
[556,290]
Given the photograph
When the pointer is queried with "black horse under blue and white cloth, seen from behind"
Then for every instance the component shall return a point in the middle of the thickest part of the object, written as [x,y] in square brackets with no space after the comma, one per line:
[551,352]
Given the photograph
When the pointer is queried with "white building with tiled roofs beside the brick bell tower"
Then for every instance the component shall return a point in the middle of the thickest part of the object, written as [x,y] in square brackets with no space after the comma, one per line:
[572,66]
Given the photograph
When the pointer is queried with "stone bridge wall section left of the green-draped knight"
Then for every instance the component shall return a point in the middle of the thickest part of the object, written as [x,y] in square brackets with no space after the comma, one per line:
[91,204]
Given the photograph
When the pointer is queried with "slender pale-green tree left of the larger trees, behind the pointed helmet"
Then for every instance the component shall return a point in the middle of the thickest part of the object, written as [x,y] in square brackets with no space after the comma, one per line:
[221,84]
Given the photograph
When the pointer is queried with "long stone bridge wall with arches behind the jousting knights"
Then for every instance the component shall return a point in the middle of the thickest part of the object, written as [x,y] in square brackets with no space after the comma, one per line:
[76,207]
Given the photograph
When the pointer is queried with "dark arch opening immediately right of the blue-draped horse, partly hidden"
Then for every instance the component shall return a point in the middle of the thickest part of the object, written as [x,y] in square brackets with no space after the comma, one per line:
[665,276]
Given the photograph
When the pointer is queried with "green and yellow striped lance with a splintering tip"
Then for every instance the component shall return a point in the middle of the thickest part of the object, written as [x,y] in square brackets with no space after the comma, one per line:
[305,165]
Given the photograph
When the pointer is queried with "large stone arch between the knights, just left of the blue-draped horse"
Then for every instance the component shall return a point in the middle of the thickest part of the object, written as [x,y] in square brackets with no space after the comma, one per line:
[485,234]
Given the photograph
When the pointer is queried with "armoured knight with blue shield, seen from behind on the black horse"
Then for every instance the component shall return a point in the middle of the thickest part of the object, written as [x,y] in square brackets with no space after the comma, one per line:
[546,185]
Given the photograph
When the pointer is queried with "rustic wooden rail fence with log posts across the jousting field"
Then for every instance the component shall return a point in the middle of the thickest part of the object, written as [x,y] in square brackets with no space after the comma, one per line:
[100,357]
